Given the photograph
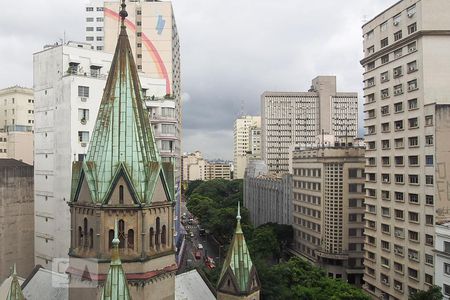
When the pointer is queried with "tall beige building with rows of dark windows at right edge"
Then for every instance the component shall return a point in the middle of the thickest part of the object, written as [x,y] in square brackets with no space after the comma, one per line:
[407,123]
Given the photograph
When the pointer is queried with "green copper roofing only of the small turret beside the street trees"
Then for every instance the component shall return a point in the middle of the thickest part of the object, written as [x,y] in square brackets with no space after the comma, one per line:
[238,259]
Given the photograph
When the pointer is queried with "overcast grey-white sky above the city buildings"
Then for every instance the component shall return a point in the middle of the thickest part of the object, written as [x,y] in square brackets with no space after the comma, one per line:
[231,52]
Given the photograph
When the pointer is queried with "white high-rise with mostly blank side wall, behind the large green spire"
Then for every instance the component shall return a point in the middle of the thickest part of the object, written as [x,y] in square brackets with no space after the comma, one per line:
[68,83]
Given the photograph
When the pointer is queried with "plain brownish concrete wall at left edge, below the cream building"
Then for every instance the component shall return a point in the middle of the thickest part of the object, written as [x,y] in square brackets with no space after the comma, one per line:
[16,217]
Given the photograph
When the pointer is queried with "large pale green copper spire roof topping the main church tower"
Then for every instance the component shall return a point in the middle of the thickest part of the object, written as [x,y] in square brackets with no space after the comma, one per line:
[122,141]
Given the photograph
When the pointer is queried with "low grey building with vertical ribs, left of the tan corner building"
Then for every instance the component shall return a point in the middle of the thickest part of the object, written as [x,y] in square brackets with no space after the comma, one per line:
[268,198]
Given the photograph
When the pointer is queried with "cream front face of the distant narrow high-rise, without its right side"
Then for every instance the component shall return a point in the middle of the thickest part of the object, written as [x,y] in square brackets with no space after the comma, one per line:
[241,135]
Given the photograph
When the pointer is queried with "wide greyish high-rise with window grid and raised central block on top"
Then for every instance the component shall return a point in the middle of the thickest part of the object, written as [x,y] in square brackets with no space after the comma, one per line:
[293,118]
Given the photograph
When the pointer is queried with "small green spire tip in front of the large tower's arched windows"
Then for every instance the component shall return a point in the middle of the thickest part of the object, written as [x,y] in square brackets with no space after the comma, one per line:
[116,285]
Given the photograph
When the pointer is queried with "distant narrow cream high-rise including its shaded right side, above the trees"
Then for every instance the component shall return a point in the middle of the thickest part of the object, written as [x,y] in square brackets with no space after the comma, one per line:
[245,132]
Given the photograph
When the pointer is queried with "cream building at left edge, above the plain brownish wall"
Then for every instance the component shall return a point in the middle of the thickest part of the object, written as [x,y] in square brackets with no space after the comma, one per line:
[17,109]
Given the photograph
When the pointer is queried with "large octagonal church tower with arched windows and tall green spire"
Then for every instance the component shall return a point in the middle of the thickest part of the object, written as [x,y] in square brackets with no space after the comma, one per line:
[123,178]
